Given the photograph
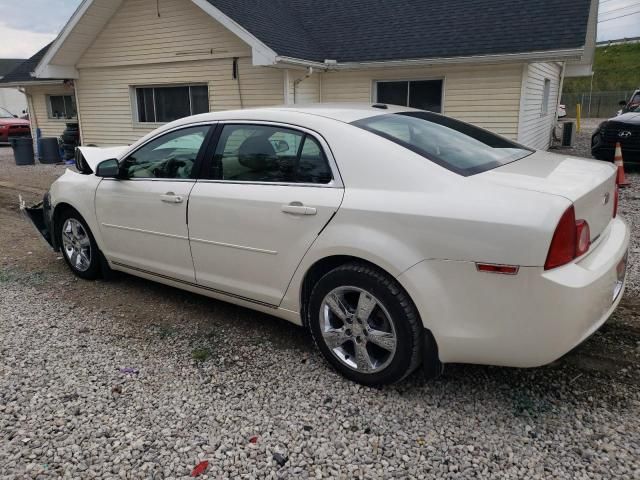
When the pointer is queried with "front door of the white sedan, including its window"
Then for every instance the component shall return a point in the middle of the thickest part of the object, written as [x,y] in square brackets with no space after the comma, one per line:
[143,215]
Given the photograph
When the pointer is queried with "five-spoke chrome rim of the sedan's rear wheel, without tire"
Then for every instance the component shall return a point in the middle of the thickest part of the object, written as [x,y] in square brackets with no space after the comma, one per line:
[357,329]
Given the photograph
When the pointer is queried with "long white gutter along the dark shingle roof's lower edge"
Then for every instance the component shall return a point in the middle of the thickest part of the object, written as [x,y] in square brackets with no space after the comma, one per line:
[545,55]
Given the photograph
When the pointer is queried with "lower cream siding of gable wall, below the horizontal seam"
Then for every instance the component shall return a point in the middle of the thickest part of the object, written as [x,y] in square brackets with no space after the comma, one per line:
[105,94]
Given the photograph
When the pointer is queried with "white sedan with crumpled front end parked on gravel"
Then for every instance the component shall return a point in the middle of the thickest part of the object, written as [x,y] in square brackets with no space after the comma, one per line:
[398,237]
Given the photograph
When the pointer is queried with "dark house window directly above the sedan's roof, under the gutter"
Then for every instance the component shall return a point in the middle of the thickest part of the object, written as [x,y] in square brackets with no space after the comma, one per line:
[422,94]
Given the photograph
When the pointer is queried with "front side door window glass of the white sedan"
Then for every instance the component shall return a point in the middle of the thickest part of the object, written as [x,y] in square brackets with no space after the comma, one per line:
[171,156]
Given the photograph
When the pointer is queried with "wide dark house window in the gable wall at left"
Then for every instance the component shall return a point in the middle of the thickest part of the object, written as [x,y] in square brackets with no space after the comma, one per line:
[165,104]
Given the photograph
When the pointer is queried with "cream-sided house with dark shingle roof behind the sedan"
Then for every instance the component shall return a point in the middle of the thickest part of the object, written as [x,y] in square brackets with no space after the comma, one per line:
[122,67]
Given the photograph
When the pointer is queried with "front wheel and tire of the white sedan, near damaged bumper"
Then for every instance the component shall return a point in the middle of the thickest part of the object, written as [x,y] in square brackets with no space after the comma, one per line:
[79,248]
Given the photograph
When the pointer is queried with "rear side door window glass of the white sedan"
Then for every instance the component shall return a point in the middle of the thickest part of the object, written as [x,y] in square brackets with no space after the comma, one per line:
[260,153]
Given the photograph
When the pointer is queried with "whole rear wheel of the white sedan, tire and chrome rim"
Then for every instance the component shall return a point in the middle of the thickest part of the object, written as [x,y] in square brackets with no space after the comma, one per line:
[365,325]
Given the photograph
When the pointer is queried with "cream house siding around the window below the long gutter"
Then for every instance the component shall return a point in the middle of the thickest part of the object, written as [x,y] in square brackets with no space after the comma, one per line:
[487,95]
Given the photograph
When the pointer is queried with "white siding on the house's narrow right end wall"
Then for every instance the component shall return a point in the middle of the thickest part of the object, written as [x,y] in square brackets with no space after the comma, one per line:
[535,127]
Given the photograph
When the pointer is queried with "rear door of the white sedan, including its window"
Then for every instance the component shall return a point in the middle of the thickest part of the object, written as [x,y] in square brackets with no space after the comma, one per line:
[270,190]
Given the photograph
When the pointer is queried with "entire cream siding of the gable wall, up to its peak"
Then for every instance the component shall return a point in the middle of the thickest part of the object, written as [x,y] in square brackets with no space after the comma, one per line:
[181,46]
